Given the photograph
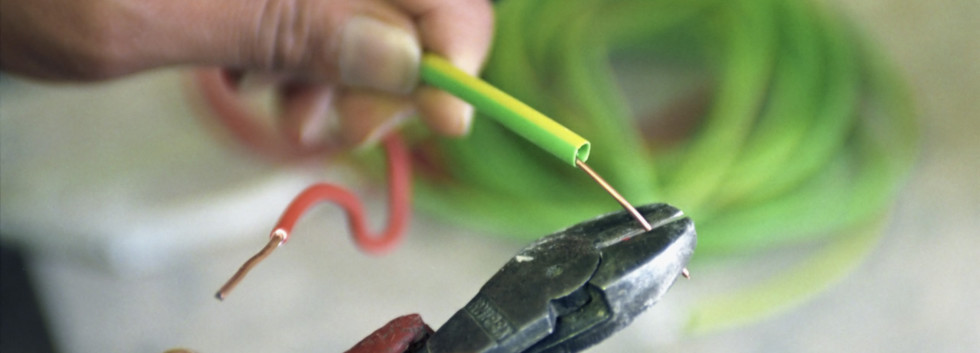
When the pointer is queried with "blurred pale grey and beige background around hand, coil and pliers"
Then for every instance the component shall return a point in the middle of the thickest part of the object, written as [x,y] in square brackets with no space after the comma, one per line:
[122,213]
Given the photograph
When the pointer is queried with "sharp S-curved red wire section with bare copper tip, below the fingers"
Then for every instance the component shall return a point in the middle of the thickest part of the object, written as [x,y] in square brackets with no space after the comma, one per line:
[399,197]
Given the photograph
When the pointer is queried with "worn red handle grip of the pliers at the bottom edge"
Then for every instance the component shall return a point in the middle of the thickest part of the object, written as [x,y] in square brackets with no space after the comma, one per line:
[403,334]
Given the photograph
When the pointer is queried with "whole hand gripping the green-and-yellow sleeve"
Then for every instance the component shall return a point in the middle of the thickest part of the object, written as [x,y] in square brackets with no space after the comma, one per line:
[360,57]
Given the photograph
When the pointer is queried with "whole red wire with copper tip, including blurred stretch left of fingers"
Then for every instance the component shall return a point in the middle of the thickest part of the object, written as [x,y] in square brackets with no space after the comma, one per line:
[217,87]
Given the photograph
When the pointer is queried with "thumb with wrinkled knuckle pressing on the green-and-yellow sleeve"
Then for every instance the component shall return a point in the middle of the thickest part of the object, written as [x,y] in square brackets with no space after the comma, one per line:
[360,43]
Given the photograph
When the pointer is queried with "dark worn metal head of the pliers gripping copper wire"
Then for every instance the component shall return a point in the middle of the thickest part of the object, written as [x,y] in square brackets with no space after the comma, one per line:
[572,289]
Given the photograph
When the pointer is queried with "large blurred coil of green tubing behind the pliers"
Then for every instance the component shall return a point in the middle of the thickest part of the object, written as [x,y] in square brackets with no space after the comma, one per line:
[805,134]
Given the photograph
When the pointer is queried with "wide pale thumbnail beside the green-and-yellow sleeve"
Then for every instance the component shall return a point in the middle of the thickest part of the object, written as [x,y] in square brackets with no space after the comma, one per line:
[377,55]
